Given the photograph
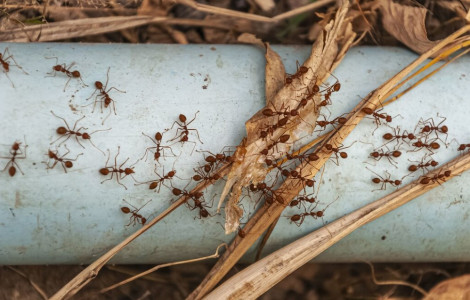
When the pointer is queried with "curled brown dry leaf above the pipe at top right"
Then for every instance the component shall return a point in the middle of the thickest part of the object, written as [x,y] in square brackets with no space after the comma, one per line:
[406,24]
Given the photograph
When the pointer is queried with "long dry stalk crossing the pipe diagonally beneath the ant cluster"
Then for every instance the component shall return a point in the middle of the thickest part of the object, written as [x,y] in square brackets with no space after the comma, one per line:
[291,187]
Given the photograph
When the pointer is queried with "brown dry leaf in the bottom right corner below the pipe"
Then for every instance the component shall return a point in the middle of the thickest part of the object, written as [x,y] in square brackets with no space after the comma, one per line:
[452,289]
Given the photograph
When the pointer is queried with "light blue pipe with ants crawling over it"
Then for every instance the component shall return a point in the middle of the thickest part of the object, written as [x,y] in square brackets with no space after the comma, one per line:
[49,217]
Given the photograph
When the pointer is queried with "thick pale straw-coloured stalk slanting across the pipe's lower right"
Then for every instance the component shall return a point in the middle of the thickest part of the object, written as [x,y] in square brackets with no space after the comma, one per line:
[259,277]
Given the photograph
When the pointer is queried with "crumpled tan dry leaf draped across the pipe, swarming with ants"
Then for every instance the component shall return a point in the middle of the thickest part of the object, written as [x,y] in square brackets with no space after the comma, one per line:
[249,166]
